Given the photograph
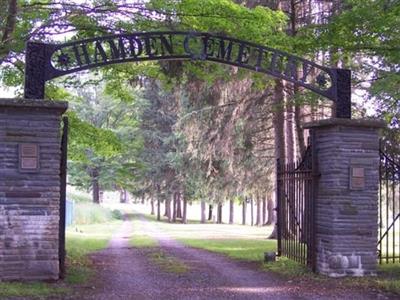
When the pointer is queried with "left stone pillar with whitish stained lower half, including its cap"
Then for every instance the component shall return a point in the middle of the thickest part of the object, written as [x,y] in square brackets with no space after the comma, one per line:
[29,188]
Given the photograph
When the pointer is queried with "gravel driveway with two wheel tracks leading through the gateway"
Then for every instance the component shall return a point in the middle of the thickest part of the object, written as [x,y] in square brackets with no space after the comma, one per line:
[125,272]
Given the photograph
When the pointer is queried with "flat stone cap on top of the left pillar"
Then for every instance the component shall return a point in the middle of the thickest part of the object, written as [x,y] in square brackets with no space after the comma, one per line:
[59,106]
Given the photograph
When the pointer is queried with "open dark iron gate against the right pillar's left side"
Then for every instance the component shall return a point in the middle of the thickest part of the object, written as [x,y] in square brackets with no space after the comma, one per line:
[295,193]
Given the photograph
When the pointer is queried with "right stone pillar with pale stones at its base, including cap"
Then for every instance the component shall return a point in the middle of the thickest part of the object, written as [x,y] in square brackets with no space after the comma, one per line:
[346,211]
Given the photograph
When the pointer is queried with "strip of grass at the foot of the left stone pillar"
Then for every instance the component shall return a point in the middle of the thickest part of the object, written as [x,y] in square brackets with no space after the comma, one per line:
[33,290]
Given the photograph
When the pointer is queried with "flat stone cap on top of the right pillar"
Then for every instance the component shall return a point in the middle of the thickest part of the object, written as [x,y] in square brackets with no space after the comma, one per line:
[366,123]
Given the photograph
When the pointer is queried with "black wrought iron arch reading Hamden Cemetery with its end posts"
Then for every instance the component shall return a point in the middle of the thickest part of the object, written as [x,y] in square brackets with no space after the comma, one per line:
[47,61]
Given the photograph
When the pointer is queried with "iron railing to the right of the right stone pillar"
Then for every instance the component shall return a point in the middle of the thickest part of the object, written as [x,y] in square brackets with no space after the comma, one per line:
[389,209]
